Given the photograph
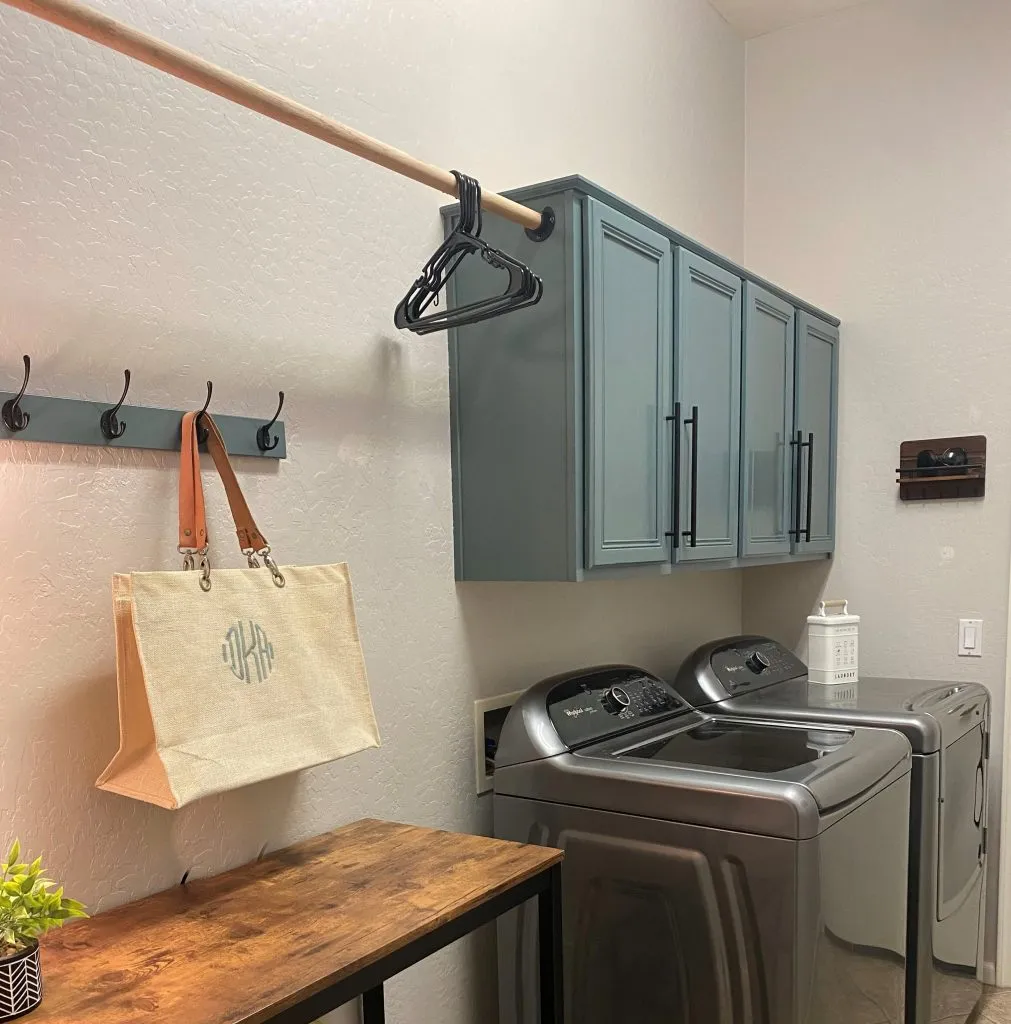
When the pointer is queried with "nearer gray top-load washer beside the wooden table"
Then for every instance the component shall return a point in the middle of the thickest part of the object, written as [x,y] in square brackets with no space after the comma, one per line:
[719,870]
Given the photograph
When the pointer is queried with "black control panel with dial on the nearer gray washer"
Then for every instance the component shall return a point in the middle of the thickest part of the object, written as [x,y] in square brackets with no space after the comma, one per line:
[602,703]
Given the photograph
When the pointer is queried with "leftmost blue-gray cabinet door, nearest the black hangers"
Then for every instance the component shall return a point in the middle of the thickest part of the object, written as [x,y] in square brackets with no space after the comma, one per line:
[628,381]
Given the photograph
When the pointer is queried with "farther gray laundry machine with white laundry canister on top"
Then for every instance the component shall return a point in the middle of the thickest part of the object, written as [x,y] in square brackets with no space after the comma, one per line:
[948,727]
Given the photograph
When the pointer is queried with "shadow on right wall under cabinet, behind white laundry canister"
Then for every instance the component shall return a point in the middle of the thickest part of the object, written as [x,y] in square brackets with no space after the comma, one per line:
[778,600]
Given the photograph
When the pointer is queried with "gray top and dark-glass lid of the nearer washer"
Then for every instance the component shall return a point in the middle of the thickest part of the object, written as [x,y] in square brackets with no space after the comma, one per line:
[770,780]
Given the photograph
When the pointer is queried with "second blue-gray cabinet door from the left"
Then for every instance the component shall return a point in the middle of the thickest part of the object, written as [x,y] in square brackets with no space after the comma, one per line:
[708,390]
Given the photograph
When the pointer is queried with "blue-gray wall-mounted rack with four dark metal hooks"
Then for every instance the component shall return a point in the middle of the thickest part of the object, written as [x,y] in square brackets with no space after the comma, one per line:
[71,421]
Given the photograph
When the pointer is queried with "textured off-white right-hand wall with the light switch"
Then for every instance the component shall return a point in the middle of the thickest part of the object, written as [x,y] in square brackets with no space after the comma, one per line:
[879,142]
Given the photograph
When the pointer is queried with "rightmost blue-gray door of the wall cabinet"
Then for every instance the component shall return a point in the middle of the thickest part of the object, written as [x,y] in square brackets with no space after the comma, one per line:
[816,398]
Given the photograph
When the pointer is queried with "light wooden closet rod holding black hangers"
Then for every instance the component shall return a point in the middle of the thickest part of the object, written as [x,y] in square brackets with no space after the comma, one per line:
[148,50]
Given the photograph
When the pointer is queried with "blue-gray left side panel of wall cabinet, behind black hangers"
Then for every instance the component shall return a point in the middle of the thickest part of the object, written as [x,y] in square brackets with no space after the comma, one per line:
[517,413]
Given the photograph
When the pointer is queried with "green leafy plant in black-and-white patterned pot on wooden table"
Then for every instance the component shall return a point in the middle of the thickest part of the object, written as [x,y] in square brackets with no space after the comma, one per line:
[28,910]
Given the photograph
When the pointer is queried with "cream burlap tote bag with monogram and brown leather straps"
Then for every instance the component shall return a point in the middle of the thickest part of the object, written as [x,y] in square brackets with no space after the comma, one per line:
[232,676]
